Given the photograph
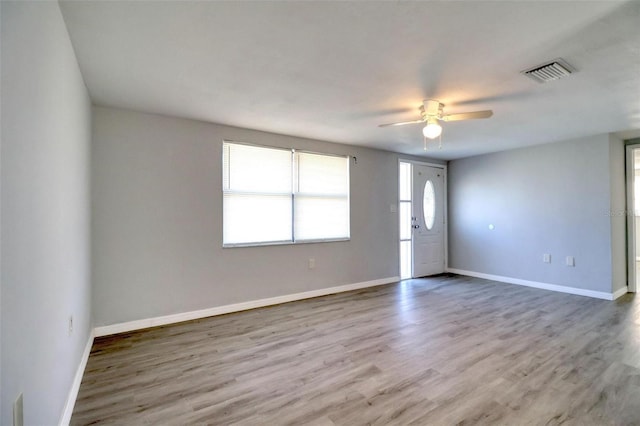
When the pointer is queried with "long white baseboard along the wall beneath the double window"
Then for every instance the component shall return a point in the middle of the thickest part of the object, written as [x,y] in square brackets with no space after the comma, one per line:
[236,307]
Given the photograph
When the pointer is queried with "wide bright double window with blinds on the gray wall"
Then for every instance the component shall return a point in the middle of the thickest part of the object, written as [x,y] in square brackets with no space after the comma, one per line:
[283,196]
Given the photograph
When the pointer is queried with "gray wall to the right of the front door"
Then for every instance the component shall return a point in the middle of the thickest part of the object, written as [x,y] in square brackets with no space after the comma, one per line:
[554,198]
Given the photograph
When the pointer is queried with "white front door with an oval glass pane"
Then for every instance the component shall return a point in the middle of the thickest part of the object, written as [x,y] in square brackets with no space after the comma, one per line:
[428,221]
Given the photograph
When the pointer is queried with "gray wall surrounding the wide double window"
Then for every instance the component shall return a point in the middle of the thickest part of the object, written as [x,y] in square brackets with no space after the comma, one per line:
[157,221]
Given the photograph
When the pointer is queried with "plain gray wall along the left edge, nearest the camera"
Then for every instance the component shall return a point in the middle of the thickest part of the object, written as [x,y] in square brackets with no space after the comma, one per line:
[46,130]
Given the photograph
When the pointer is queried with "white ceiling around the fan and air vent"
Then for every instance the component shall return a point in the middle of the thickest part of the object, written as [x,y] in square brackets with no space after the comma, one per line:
[335,70]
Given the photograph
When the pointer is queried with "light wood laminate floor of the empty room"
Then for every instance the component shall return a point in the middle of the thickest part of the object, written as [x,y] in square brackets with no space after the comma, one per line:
[437,351]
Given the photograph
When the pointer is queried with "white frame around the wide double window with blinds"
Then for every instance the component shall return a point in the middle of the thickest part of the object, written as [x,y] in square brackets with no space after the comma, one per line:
[294,190]
